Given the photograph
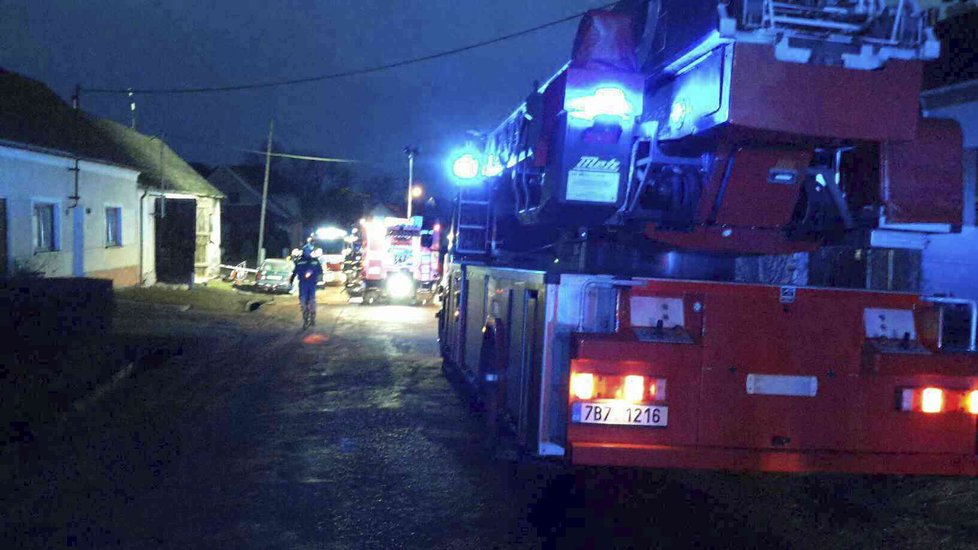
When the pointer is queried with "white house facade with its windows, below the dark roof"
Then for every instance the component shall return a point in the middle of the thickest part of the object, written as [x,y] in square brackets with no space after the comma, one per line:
[48,231]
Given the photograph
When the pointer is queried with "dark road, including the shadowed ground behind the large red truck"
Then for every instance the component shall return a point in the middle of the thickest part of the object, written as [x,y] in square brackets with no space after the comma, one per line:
[254,434]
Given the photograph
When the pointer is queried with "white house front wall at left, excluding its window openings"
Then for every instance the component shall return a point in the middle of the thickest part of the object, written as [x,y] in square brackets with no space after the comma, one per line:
[27,177]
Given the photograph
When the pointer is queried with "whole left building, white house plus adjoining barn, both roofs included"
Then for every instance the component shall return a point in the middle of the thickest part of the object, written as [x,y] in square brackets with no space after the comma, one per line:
[87,197]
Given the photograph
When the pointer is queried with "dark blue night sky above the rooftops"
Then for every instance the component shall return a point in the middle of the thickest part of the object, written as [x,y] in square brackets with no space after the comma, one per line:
[180,43]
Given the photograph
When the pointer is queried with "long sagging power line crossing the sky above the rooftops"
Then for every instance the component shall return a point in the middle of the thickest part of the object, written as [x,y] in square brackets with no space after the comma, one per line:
[354,72]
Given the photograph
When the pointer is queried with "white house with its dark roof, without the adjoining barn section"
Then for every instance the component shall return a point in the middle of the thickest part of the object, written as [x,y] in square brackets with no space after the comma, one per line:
[69,206]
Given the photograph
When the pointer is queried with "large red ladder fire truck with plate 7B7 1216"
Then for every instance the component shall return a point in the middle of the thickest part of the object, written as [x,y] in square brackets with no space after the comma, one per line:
[601,282]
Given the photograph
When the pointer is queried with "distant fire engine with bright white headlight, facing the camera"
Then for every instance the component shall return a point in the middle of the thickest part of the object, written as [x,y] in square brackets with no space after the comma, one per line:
[398,260]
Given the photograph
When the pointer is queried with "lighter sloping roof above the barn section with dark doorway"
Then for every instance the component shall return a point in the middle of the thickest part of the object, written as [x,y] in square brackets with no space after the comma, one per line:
[143,152]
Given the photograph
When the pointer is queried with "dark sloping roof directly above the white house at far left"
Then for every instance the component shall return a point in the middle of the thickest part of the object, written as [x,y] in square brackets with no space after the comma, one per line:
[34,117]
